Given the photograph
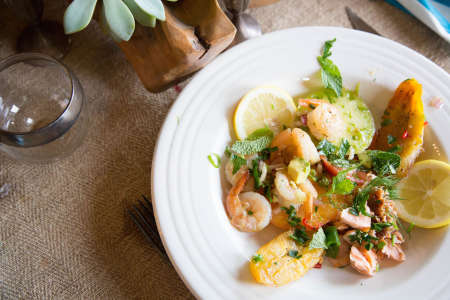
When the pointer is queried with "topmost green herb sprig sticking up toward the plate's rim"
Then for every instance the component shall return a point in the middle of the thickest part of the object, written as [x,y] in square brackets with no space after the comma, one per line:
[331,77]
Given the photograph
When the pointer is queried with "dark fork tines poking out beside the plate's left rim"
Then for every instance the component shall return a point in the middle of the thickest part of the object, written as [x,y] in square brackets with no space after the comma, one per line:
[143,216]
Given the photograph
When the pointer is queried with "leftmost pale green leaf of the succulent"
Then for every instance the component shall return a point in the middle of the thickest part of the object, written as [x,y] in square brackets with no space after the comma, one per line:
[78,15]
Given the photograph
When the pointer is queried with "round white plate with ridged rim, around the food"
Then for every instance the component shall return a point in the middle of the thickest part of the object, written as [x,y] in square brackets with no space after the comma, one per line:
[208,253]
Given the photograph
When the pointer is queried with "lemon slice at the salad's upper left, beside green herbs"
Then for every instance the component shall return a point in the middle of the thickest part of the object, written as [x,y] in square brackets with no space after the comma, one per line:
[265,106]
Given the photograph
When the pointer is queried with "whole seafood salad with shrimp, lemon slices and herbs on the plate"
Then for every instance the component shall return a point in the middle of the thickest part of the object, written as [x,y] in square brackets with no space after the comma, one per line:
[316,167]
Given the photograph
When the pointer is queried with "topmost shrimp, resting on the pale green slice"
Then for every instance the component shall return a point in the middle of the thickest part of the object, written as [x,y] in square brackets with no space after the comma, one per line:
[326,122]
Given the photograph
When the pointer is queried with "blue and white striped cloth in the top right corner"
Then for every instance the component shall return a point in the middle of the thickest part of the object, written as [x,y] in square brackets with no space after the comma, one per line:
[433,13]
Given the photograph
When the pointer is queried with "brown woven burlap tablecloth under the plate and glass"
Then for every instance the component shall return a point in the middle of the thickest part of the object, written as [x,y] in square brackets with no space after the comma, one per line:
[64,231]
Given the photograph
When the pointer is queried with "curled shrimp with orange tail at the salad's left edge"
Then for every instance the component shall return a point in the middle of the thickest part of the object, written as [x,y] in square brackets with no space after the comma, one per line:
[249,211]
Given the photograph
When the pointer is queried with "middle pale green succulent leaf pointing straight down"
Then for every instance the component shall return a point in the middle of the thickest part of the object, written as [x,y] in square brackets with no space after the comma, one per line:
[118,19]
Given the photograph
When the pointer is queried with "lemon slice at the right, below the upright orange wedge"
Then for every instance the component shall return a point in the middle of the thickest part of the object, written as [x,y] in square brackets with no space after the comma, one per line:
[426,194]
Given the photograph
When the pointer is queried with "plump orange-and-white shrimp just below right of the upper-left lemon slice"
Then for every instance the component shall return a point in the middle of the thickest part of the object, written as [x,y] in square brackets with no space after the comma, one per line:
[294,143]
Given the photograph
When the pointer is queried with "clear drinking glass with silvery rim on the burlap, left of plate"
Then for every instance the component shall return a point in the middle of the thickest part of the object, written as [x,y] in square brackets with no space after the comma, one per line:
[43,113]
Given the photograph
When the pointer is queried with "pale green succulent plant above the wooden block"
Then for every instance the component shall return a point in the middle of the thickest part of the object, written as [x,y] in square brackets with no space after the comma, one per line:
[116,16]
